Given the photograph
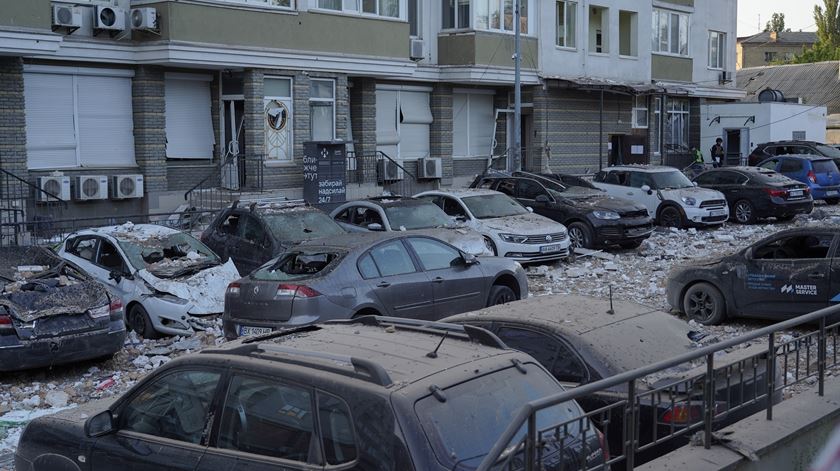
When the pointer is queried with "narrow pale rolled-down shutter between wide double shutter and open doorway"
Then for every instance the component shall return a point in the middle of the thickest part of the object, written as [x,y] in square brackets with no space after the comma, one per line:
[189,126]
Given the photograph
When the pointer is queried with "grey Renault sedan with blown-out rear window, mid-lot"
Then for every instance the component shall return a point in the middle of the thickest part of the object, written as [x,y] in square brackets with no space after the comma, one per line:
[401,274]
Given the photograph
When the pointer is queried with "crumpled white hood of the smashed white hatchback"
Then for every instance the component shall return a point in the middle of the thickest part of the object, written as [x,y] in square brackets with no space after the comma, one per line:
[205,290]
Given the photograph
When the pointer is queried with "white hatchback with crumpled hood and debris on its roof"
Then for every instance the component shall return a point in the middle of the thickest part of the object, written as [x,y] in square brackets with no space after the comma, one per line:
[167,279]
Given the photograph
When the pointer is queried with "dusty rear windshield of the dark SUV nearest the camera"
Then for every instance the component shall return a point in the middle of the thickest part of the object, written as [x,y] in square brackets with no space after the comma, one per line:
[486,406]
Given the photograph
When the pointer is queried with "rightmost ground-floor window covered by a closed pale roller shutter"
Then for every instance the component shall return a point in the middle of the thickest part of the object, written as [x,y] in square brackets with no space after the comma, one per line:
[473,123]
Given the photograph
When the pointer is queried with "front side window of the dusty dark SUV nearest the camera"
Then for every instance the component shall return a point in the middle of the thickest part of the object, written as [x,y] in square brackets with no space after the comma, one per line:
[174,406]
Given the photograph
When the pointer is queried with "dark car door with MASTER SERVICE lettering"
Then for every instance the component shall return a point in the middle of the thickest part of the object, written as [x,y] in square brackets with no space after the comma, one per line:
[786,276]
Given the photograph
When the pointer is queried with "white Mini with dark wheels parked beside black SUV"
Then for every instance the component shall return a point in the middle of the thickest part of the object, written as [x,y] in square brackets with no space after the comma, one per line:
[667,193]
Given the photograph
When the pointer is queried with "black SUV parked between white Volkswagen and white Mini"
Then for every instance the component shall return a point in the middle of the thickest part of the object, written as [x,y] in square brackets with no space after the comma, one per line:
[593,218]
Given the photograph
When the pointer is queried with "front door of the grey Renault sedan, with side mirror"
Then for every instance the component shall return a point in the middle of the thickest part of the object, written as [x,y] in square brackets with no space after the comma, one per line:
[457,286]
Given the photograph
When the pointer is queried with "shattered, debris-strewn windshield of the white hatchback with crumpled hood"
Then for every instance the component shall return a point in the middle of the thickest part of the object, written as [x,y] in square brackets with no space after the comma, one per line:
[168,255]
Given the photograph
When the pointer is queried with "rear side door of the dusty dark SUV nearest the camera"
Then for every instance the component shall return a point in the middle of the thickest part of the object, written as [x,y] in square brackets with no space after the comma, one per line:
[267,424]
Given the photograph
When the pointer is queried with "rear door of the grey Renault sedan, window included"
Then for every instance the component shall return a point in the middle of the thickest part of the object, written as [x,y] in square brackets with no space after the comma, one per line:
[402,288]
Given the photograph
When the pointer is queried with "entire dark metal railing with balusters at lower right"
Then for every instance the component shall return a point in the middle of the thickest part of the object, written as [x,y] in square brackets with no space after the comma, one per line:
[702,402]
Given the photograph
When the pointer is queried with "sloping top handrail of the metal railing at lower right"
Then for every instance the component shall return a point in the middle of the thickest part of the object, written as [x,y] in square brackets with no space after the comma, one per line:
[532,407]
